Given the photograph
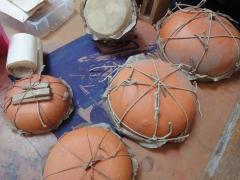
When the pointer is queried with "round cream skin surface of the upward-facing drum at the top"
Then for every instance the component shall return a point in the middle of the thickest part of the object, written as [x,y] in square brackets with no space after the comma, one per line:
[107,16]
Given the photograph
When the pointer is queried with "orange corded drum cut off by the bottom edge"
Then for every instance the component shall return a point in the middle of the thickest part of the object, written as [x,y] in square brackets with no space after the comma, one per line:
[89,153]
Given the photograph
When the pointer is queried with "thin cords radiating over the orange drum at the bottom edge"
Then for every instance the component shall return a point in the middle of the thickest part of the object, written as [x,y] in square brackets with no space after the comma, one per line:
[89,166]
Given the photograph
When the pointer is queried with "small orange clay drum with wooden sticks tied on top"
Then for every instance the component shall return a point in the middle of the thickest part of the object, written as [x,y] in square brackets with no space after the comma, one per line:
[38,104]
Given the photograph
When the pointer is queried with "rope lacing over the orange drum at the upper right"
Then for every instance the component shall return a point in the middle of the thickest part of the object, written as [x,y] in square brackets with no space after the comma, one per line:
[203,38]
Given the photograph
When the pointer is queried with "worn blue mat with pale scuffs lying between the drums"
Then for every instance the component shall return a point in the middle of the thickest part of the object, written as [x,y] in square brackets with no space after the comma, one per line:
[72,63]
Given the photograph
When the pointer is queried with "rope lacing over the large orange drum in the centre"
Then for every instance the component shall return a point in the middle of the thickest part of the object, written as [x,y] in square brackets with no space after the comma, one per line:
[159,86]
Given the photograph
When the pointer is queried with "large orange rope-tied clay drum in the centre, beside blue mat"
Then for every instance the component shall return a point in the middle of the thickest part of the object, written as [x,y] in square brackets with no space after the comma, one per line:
[151,102]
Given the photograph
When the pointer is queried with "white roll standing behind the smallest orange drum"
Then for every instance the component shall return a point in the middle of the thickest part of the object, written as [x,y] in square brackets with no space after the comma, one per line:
[25,56]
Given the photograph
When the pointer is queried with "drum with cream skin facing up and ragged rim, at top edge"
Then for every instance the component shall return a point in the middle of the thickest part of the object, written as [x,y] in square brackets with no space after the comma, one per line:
[109,19]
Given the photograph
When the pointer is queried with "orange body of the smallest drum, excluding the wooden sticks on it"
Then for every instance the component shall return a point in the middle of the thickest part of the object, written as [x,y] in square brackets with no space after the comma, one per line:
[25,117]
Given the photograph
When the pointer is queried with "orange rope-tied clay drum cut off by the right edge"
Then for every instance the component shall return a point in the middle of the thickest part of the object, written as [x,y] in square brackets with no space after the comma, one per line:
[203,41]
